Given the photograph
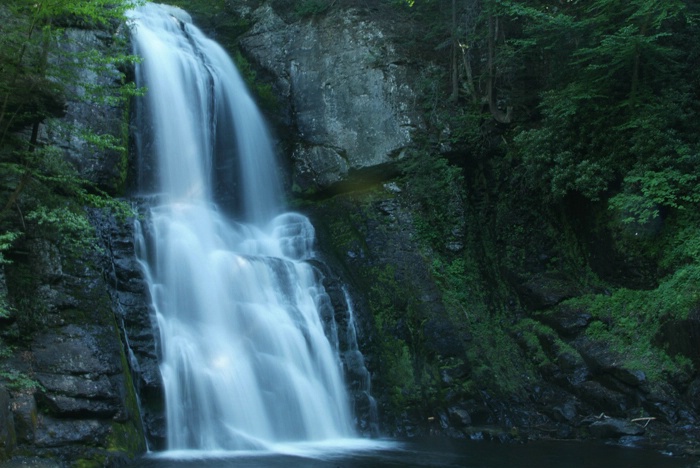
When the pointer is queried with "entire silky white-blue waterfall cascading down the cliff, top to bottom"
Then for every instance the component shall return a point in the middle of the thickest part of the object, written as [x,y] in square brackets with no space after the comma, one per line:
[245,361]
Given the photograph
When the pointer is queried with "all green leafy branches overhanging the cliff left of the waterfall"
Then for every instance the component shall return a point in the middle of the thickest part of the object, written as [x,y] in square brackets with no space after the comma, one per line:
[42,195]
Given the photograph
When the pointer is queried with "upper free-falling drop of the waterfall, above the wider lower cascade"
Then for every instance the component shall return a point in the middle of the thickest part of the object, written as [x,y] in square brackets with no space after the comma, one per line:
[201,116]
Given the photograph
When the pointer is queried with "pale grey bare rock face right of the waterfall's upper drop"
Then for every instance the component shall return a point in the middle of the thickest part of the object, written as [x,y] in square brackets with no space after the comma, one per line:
[350,93]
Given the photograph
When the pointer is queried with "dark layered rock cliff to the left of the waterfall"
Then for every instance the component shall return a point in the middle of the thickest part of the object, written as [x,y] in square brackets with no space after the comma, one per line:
[67,392]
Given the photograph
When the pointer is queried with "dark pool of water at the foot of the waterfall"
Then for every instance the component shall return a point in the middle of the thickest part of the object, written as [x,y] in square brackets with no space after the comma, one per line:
[433,453]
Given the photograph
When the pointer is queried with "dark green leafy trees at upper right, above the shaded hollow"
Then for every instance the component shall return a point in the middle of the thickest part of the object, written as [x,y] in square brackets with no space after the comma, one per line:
[599,98]
